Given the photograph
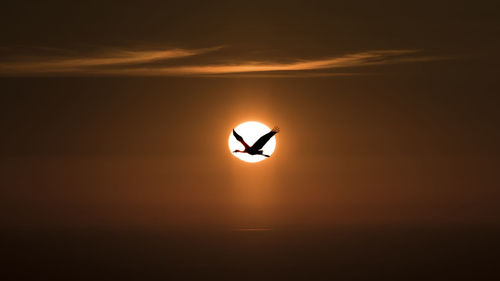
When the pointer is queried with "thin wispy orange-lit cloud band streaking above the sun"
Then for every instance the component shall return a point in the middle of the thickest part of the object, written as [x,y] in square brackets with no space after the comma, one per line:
[140,63]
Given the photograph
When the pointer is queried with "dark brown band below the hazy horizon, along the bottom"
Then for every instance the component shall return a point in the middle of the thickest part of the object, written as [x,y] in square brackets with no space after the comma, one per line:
[344,253]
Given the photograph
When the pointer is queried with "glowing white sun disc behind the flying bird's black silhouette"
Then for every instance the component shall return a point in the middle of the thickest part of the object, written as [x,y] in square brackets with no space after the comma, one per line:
[251,131]
